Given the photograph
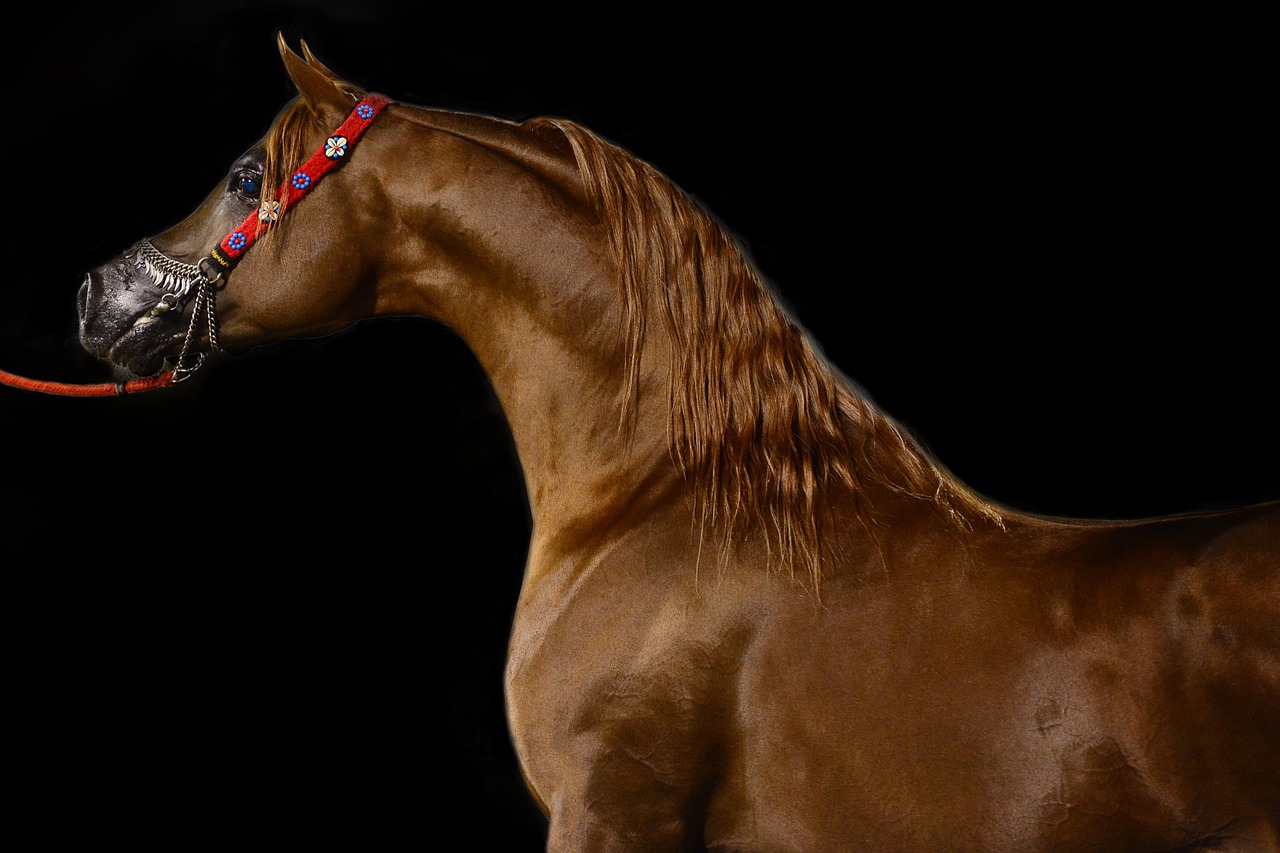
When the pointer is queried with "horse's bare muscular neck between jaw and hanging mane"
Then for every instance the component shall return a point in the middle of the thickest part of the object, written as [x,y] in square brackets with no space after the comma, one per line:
[502,248]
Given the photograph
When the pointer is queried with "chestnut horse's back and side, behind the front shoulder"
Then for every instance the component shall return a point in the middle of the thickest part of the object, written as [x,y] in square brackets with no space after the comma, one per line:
[1043,686]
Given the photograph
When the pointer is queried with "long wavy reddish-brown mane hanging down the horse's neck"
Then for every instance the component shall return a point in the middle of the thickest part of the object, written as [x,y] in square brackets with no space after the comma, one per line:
[762,428]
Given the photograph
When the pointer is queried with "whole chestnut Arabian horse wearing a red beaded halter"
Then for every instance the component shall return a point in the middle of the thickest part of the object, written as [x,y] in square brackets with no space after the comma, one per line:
[756,613]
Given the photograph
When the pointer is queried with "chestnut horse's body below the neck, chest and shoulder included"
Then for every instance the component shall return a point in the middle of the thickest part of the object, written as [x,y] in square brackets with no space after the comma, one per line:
[1025,690]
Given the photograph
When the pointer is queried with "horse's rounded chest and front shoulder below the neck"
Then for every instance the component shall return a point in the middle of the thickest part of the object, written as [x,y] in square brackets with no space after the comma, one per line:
[615,681]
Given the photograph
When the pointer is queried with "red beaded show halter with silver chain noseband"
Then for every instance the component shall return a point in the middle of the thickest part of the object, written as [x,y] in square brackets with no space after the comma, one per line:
[180,279]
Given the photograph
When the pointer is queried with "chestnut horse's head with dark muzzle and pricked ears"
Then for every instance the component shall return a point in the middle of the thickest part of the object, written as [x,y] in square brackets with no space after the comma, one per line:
[156,302]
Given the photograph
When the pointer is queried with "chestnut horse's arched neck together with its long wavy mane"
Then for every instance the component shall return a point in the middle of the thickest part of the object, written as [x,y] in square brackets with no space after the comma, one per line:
[496,236]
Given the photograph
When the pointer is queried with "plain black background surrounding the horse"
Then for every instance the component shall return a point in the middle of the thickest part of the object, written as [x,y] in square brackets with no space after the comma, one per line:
[273,604]
